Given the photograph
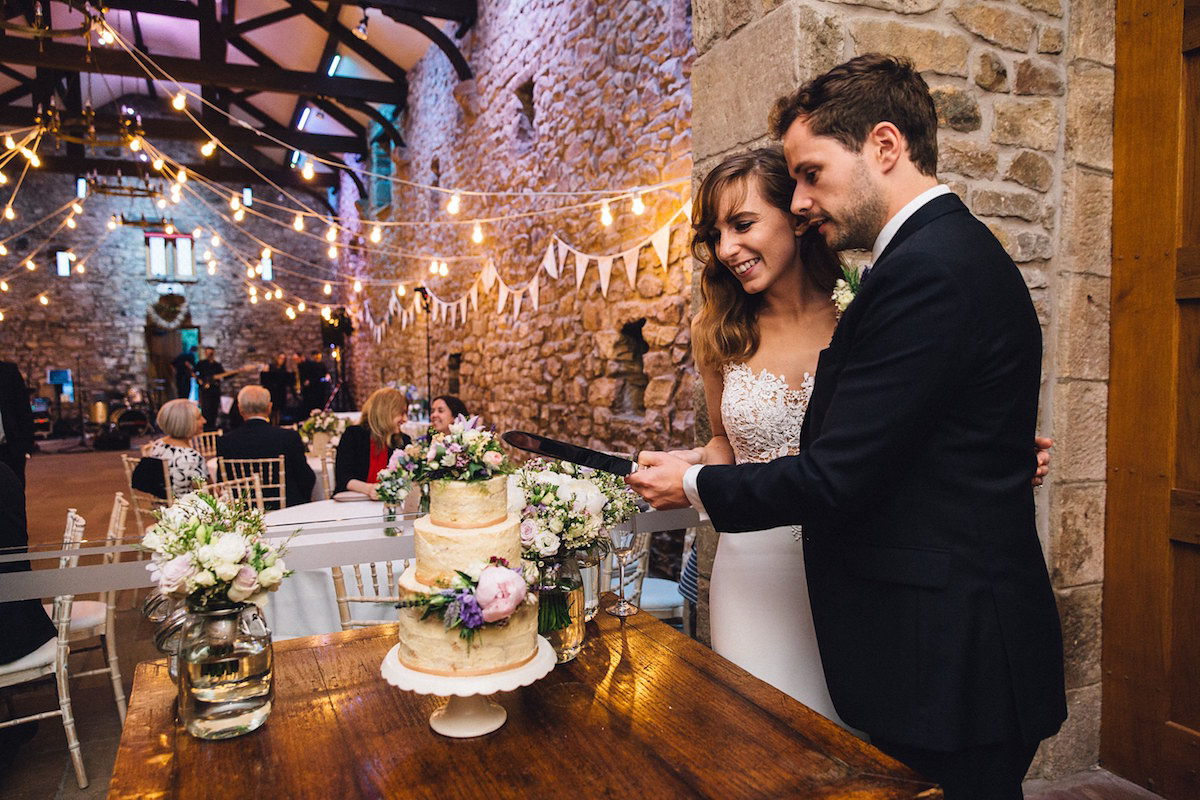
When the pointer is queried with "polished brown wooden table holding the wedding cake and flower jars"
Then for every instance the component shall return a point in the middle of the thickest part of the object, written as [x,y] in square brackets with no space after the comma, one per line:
[644,712]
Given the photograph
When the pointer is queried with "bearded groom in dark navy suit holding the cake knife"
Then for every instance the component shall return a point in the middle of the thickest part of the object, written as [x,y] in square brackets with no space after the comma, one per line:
[933,607]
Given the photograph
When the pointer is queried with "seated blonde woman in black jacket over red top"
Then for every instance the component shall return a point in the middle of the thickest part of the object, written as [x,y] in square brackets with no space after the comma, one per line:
[365,448]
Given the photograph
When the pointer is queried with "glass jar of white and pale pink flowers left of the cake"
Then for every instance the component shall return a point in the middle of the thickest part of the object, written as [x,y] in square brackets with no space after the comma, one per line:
[213,555]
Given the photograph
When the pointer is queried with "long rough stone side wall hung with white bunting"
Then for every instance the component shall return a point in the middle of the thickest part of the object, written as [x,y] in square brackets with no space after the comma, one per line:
[571,98]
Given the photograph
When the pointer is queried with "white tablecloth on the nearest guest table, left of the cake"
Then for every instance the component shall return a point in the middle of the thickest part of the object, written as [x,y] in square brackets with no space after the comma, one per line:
[307,603]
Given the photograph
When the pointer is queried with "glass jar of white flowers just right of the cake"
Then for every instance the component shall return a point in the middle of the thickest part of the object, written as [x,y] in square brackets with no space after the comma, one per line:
[567,514]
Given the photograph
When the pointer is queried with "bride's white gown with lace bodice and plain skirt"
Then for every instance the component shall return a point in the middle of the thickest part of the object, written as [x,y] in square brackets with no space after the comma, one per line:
[759,598]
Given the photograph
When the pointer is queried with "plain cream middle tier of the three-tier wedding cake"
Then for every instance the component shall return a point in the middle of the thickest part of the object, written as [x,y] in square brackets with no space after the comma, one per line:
[441,552]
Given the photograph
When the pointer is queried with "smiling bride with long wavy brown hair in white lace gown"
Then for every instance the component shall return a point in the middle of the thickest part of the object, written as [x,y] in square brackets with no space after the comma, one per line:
[766,315]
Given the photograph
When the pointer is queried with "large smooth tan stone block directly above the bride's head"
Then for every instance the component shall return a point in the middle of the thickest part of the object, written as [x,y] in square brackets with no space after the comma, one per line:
[794,45]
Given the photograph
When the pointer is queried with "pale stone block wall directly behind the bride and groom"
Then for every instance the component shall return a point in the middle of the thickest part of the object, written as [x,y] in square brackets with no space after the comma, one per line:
[1025,103]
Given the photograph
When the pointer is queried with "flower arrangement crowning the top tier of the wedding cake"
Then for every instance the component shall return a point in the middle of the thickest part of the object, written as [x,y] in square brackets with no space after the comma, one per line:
[467,453]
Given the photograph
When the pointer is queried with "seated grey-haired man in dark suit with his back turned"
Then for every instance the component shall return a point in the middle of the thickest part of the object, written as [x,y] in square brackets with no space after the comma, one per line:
[257,438]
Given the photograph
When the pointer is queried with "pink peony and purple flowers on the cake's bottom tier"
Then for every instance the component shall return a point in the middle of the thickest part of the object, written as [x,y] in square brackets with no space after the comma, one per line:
[471,604]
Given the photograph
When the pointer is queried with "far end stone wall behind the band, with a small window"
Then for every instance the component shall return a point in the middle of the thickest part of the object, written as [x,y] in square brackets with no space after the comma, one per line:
[97,322]
